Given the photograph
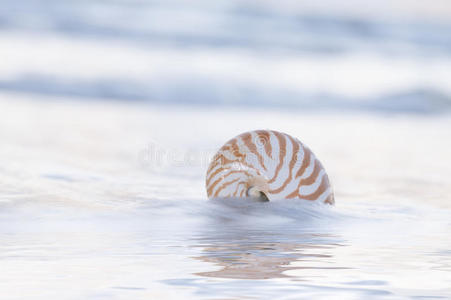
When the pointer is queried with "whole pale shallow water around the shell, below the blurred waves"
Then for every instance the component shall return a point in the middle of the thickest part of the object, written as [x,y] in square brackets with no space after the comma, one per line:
[88,211]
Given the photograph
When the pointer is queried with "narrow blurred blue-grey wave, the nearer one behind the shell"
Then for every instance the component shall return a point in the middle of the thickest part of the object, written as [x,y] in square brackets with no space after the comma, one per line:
[211,93]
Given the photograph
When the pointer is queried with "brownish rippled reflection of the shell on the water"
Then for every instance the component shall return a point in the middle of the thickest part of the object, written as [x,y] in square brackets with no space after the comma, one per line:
[257,257]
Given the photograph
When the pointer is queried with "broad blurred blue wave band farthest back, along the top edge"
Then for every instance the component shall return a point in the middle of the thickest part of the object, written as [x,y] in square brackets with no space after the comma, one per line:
[237,25]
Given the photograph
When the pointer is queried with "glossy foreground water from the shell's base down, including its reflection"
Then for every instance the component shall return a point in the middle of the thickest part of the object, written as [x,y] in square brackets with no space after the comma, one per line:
[238,250]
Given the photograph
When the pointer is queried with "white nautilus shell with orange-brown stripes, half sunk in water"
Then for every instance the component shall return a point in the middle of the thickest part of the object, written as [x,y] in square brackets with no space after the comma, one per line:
[267,165]
